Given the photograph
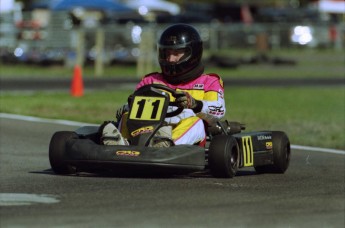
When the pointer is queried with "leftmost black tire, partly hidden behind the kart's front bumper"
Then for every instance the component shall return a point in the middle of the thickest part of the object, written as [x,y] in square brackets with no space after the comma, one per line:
[57,151]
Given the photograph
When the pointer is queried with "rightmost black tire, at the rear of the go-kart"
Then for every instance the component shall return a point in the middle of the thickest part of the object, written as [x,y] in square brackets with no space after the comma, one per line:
[281,154]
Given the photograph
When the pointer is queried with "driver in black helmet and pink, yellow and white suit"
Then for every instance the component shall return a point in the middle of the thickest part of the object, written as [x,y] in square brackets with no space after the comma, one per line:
[201,95]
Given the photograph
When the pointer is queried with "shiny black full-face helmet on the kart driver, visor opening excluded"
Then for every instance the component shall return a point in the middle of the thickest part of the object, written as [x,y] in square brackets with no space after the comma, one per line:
[189,67]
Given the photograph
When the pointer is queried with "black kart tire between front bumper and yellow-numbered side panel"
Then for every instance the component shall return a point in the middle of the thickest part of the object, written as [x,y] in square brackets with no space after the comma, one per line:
[223,156]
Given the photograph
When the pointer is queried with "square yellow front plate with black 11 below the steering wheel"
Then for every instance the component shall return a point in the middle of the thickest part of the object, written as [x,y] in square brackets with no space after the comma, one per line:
[147,108]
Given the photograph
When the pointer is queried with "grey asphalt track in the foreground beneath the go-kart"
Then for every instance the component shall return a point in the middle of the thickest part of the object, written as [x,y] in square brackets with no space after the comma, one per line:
[309,194]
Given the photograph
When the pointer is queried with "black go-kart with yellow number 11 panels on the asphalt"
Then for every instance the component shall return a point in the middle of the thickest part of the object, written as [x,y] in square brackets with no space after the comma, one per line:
[227,148]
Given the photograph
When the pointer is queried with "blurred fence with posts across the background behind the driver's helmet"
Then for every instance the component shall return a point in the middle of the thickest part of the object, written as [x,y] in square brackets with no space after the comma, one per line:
[64,43]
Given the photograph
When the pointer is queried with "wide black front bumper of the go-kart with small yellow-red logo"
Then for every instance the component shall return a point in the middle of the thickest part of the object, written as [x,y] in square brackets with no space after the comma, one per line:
[86,154]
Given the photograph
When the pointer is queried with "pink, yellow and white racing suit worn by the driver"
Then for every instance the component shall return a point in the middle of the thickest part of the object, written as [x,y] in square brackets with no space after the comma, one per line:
[188,127]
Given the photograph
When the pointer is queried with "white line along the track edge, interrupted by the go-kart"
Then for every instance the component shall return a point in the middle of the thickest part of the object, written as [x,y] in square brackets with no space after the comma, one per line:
[75,123]
